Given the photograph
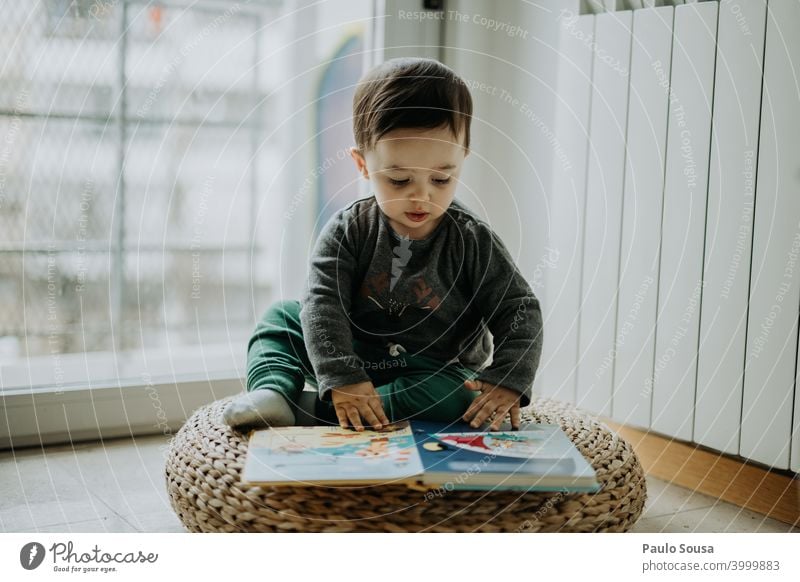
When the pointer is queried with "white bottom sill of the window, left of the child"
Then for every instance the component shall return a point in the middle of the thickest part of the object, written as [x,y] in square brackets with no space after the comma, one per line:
[153,394]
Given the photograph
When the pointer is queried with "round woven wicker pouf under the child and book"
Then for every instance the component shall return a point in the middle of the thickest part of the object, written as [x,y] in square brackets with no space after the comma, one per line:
[206,458]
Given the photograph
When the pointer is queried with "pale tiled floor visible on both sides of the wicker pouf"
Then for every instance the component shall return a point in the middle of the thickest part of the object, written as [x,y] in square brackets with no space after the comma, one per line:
[118,486]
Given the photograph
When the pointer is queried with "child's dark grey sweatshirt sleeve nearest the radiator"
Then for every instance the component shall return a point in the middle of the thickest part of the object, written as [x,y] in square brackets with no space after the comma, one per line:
[511,312]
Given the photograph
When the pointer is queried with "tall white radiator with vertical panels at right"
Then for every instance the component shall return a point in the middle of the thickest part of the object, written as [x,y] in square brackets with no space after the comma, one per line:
[676,212]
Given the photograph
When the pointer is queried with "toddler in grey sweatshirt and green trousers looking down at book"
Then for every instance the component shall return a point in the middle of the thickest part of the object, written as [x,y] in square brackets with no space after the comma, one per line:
[404,286]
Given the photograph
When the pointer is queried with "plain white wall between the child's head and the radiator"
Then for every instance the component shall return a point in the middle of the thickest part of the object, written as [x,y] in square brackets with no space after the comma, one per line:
[511,66]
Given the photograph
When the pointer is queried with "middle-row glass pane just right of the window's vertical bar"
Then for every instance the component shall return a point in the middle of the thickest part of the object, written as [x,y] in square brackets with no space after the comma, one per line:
[188,187]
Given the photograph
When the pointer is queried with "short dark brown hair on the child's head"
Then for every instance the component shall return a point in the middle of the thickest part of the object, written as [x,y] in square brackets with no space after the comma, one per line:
[409,92]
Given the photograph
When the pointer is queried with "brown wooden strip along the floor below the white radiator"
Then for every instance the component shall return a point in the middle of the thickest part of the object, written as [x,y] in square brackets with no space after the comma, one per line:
[759,489]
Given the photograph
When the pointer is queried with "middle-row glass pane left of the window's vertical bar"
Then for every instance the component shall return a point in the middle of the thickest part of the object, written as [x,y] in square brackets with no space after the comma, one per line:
[57,182]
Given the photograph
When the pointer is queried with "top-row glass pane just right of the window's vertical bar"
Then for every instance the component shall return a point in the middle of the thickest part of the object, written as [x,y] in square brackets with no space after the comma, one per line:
[191,64]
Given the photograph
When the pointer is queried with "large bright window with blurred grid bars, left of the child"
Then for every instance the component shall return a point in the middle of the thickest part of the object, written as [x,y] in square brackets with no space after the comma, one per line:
[143,171]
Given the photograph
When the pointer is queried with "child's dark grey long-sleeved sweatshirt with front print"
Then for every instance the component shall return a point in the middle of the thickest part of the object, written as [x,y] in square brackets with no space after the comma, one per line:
[449,296]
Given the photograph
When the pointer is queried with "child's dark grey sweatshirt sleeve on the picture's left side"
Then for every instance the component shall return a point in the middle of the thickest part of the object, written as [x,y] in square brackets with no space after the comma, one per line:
[325,308]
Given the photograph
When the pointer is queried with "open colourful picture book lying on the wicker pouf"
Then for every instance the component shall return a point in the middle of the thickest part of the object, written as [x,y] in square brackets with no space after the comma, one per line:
[420,454]
